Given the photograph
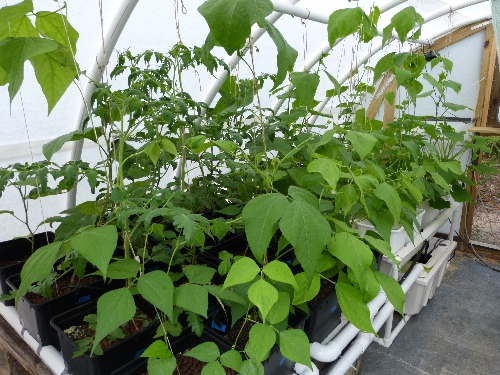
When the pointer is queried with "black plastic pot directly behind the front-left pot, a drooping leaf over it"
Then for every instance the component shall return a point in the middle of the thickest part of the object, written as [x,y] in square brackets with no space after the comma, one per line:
[35,318]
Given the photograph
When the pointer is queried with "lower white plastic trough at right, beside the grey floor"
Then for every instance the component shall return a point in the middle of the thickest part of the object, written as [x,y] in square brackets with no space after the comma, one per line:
[425,286]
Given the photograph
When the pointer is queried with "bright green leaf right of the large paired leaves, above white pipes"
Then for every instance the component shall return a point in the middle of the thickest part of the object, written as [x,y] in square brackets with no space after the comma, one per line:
[352,252]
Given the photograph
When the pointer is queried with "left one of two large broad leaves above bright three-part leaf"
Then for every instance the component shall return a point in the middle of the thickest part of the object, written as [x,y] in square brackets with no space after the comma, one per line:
[259,217]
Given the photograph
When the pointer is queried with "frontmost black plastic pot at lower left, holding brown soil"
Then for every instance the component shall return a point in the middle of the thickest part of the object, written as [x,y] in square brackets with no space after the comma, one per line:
[114,357]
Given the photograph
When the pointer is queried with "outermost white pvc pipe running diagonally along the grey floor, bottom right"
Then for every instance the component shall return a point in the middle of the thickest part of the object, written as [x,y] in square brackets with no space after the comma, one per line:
[364,339]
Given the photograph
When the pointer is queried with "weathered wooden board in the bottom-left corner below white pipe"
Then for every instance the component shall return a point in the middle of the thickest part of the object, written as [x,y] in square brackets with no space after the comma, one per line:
[21,351]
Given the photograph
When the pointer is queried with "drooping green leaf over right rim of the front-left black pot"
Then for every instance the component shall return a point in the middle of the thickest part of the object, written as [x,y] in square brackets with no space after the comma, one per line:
[157,288]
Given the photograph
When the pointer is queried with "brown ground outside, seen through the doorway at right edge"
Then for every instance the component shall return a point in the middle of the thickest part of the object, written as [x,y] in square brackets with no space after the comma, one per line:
[486,222]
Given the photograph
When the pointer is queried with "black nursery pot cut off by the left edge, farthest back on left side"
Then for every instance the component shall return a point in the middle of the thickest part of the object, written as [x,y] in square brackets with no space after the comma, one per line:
[13,252]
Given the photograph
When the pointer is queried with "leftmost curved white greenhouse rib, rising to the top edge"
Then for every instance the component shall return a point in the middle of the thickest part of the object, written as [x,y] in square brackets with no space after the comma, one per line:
[118,23]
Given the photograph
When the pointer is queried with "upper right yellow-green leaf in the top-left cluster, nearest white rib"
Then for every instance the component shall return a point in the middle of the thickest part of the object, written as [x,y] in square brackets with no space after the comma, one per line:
[56,27]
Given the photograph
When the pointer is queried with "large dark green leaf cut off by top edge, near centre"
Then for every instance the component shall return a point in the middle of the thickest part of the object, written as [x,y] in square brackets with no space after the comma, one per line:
[230,21]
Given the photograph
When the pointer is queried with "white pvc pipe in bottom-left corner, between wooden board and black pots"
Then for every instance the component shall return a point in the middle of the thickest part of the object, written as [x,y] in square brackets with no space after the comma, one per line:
[49,355]
